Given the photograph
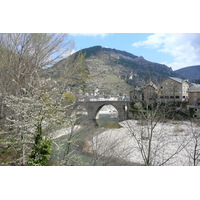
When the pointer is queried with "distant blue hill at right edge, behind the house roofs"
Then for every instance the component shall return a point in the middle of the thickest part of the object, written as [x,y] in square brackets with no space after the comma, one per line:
[191,73]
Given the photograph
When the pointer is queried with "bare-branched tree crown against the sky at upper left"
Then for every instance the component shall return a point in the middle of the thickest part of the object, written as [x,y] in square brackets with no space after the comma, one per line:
[22,57]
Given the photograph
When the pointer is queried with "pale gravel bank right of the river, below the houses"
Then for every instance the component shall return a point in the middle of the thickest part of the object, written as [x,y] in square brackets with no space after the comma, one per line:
[172,143]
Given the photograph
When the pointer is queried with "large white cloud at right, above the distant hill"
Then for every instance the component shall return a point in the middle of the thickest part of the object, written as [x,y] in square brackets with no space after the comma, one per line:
[184,47]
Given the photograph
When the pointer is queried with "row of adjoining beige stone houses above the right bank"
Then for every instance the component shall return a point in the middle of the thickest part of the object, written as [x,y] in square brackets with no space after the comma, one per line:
[170,89]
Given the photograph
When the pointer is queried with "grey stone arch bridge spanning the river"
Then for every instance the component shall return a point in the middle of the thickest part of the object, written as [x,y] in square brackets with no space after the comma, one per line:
[93,107]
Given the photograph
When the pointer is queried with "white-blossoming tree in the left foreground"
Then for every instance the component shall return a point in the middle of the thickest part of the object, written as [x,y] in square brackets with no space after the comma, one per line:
[28,114]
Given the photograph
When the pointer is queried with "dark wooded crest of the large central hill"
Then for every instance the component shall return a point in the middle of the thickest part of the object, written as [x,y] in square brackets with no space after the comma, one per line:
[131,64]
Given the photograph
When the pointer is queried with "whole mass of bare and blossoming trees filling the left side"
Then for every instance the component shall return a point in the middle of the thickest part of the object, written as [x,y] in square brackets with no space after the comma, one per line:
[26,99]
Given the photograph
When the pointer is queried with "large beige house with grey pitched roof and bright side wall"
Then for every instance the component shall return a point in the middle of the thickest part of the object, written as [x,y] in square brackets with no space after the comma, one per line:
[173,89]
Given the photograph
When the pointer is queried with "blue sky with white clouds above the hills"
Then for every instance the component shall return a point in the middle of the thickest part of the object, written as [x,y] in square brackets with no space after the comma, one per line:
[176,50]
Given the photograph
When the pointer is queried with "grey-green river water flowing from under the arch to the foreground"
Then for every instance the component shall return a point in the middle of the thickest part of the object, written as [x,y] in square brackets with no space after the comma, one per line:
[80,152]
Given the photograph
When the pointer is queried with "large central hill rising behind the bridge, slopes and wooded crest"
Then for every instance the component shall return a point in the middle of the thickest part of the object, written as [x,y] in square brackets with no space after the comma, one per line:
[112,71]
